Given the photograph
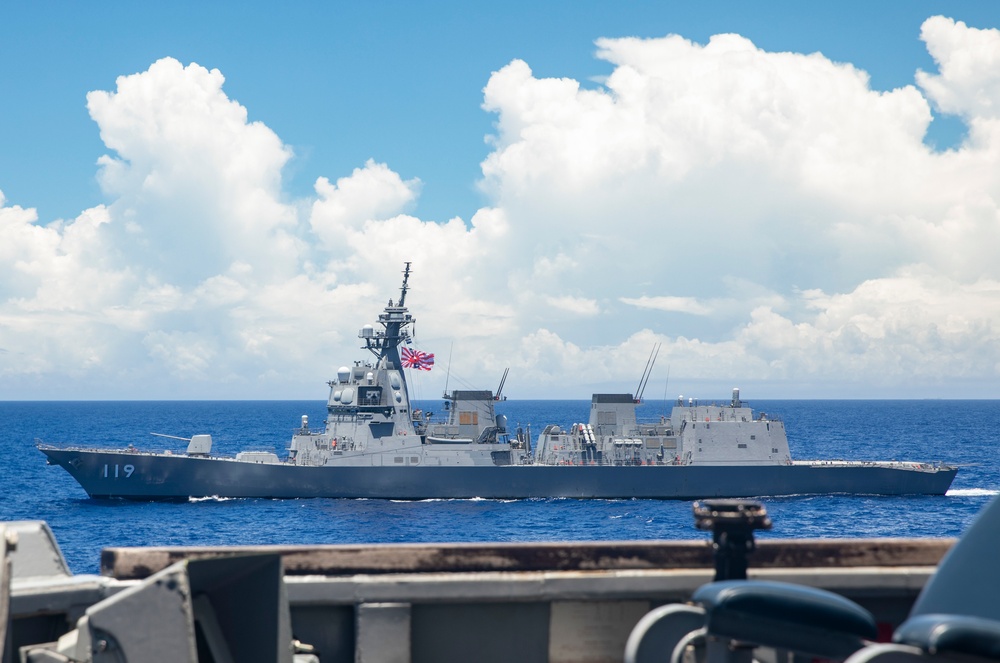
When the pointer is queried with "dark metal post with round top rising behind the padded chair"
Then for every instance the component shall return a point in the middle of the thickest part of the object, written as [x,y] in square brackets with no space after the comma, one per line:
[732,523]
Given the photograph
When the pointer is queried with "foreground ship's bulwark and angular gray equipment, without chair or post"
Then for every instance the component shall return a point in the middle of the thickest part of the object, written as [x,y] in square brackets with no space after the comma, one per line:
[534,602]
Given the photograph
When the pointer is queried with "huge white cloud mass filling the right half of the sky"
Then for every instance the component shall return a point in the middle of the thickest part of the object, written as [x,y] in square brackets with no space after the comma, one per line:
[696,167]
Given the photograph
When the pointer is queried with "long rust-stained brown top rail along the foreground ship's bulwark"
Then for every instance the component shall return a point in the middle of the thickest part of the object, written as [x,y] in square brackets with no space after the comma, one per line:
[341,560]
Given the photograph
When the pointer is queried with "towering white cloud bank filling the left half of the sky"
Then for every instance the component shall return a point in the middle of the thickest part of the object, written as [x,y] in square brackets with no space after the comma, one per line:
[199,275]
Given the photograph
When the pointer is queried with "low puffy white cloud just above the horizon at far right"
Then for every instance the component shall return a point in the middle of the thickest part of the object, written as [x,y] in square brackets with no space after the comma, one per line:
[912,327]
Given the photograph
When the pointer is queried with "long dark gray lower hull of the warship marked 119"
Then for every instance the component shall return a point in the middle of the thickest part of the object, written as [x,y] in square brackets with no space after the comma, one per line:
[147,476]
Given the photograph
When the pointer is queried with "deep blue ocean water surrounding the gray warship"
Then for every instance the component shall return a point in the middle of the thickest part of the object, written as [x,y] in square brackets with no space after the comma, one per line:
[958,432]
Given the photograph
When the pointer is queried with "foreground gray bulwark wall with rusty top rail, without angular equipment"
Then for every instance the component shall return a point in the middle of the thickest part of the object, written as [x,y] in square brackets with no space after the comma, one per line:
[503,601]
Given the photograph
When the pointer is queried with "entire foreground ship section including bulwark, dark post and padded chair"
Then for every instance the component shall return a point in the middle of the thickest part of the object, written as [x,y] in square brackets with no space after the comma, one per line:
[559,602]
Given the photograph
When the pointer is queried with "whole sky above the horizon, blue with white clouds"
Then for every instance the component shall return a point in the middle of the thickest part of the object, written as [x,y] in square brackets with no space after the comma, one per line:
[402,87]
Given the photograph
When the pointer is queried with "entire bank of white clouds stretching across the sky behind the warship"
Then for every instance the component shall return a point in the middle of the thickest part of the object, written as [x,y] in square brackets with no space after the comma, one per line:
[768,217]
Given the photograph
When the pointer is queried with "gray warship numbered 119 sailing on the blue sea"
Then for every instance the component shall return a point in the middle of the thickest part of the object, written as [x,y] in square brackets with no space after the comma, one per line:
[373,445]
